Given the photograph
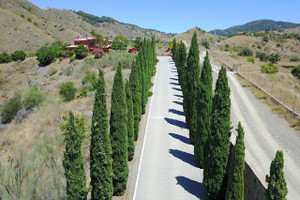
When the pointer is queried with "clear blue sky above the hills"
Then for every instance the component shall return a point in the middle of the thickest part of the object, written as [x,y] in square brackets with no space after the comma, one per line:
[178,16]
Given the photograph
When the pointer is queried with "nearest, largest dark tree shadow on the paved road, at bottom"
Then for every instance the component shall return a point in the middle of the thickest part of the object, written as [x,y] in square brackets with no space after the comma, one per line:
[193,187]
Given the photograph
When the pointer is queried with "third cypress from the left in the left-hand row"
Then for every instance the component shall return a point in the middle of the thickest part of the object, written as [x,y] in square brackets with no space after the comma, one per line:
[119,134]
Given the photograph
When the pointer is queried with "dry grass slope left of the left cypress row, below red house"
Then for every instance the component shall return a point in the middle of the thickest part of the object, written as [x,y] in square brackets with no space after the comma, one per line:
[42,125]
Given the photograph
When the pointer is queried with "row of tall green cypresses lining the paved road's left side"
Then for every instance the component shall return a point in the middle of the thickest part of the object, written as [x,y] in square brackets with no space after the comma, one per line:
[111,146]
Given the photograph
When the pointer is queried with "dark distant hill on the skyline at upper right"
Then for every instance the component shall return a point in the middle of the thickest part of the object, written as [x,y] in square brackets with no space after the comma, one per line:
[256,26]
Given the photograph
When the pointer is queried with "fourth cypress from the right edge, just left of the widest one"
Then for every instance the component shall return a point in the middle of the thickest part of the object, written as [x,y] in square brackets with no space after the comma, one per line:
[204,106]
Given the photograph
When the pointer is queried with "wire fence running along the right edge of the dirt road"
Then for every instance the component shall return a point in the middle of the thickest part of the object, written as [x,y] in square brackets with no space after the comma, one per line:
[279,94]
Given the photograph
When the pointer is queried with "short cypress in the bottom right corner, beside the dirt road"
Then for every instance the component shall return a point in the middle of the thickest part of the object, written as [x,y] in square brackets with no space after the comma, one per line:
[277,188]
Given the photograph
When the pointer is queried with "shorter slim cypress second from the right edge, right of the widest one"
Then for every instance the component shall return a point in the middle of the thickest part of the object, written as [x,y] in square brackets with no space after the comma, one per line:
[235,187]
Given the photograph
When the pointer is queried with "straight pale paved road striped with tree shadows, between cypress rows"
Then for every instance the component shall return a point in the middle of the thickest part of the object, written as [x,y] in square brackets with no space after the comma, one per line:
[167,169]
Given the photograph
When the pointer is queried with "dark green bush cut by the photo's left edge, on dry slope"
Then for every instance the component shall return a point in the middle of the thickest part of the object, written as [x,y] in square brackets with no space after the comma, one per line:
[10,108]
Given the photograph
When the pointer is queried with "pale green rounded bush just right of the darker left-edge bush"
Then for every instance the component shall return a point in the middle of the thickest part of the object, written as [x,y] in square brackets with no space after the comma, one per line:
[33,97]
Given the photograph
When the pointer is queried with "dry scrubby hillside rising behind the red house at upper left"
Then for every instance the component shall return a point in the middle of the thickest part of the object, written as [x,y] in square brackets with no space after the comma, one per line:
[26,27]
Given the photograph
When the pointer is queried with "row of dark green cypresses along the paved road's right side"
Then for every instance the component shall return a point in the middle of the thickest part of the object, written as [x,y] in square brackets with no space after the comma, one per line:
[208,121]
